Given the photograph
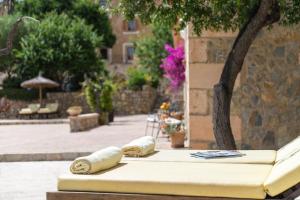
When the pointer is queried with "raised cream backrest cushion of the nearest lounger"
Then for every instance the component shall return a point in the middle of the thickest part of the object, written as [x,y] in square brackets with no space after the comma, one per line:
[284,175]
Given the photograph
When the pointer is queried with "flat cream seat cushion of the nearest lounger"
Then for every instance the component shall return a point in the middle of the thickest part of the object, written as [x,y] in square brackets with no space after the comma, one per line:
[171,178]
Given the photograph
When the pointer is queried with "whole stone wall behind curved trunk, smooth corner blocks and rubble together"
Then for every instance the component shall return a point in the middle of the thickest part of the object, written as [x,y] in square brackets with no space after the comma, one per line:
[266,105]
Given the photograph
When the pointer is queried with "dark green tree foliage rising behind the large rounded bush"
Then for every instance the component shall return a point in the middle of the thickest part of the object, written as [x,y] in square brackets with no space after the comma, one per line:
[88,10]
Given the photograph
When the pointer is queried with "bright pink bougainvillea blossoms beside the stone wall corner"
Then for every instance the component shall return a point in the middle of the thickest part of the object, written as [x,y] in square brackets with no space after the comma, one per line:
[173,66]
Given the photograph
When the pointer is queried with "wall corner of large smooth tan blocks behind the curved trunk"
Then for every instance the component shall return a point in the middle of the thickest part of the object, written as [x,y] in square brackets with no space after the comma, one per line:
[204,67]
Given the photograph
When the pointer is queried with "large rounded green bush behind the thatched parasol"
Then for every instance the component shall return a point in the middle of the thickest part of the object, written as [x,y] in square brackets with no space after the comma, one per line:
[59,45]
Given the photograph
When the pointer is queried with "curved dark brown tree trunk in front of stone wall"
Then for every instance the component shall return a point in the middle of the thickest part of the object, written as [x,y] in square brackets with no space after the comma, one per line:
[267,13]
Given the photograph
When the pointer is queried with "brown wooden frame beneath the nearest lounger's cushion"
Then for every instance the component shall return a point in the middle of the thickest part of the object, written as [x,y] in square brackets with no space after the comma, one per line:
[290,194]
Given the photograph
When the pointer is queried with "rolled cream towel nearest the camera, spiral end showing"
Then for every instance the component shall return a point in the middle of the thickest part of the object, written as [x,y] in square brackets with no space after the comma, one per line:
[97,161]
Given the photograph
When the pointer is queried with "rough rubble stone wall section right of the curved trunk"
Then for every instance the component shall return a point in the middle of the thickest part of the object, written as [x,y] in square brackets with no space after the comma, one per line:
[270,89]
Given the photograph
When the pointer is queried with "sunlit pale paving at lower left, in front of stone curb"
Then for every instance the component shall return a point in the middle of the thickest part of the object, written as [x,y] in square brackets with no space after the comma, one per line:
[29,180]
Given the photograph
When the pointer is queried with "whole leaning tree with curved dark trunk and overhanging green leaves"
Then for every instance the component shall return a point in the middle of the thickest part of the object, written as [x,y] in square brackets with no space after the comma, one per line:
[247,17]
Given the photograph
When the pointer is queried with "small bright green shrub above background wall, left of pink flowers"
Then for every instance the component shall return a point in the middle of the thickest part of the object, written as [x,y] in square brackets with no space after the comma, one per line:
[136,78]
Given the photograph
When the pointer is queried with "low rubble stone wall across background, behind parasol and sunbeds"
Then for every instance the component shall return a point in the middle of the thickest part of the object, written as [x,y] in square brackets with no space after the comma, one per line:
[125,102]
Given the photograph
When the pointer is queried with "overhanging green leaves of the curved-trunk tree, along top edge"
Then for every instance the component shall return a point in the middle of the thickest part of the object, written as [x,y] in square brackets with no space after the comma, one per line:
[202,14]
